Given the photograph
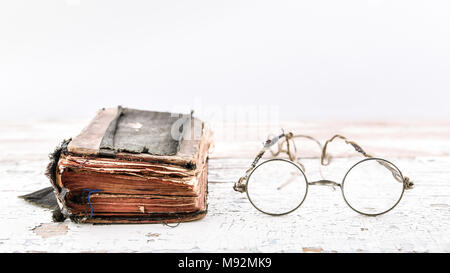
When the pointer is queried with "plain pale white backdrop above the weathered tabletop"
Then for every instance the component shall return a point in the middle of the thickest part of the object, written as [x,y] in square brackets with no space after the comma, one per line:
[312,59]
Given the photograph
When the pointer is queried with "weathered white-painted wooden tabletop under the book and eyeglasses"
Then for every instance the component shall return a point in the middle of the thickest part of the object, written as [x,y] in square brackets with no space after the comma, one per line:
[324,223]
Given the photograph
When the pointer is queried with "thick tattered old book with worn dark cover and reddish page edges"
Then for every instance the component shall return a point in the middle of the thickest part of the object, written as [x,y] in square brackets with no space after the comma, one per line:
[133,166]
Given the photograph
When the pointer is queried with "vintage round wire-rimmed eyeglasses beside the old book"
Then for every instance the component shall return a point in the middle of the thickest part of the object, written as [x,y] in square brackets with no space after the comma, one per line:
[371,187]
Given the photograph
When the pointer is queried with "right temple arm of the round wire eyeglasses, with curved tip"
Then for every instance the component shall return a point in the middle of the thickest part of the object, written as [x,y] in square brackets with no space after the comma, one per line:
[325,160]
